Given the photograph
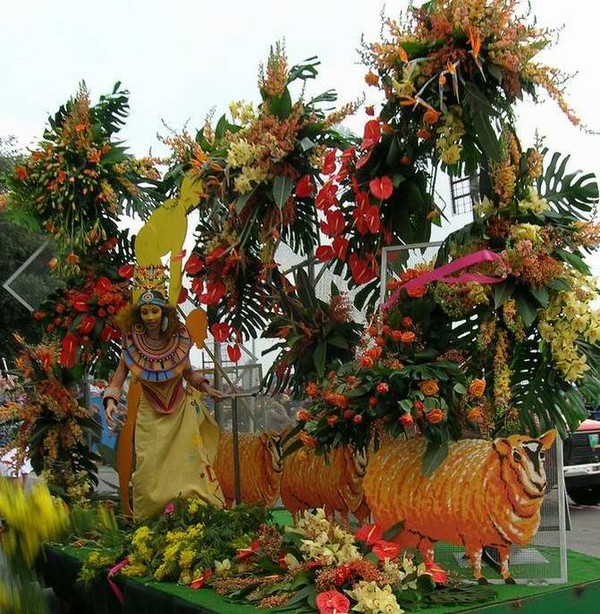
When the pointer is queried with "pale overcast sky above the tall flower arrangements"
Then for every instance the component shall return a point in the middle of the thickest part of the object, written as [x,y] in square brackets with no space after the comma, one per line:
[182,58]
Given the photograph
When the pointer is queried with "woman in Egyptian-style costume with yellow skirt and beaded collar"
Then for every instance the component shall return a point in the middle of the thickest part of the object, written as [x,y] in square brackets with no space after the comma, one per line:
[173,432]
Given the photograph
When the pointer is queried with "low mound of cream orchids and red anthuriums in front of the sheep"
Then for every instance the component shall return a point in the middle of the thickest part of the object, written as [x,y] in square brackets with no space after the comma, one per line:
[318,566]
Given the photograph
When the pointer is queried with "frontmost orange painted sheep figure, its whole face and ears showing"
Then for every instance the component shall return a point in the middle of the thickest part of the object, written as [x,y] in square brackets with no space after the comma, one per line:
[485,493]
